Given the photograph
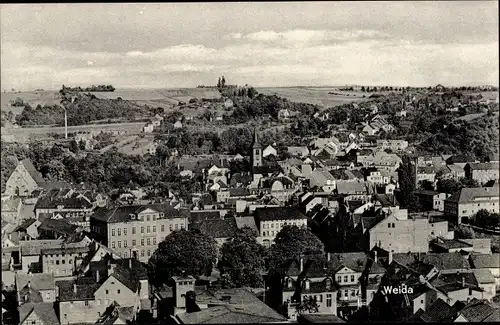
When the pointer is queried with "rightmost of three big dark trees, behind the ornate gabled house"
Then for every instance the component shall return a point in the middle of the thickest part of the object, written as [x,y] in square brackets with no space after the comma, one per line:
[293,242]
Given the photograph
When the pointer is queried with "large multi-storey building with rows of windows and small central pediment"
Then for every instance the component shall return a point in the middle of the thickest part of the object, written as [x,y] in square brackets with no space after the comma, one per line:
[135,231]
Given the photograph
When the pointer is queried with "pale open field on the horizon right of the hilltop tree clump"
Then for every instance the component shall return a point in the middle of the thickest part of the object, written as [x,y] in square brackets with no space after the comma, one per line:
[319,96]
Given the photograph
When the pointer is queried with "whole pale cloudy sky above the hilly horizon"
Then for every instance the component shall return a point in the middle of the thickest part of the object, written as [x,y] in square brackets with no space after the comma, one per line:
[173,45]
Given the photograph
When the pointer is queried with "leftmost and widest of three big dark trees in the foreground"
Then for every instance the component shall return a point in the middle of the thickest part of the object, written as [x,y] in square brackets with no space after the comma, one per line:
[182,252]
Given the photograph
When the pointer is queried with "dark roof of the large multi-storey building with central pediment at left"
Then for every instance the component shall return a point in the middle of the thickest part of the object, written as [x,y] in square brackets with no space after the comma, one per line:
[123,213]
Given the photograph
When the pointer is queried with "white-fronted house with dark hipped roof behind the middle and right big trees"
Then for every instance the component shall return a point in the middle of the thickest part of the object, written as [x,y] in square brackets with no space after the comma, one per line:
[270,220]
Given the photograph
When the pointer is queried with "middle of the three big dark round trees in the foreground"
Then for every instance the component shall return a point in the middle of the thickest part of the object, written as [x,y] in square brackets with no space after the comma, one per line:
[242,259]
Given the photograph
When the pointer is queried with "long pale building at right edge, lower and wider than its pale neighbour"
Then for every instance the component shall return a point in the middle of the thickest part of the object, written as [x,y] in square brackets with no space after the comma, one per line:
[468,201]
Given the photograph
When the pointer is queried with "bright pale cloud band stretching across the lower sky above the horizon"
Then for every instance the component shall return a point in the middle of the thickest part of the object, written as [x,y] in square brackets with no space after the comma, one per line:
[294,57]
